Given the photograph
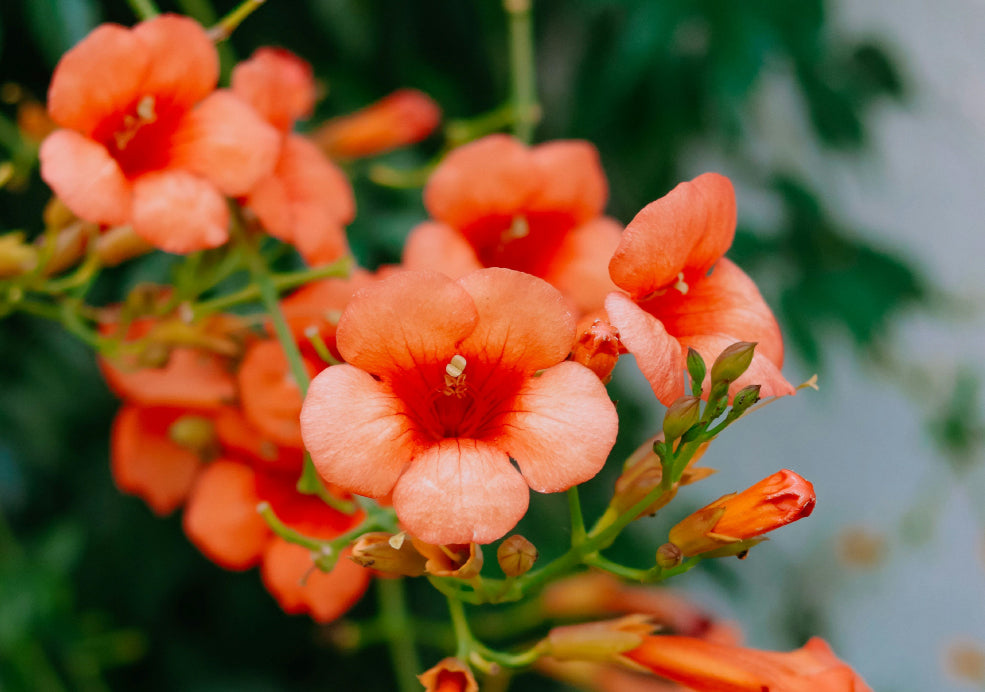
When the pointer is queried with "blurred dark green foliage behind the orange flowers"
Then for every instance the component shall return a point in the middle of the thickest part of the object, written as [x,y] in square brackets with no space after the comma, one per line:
[96,593]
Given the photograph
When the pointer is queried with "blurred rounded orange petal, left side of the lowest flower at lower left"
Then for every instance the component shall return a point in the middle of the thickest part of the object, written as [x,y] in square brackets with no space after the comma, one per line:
[221,518]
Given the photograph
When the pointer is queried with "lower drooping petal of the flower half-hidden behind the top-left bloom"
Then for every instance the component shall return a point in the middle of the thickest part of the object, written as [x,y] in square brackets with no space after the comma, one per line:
[305,201]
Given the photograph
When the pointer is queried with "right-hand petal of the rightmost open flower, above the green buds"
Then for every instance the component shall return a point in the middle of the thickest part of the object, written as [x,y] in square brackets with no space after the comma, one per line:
[723,302]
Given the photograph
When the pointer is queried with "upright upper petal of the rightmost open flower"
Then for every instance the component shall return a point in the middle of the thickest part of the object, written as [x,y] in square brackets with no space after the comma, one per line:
[687,230]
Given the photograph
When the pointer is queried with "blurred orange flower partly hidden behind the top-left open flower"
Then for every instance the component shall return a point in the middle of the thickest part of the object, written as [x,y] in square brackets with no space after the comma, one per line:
[306,200]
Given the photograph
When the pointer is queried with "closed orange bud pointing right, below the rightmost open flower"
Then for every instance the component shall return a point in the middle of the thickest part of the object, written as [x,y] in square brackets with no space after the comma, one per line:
[728,522]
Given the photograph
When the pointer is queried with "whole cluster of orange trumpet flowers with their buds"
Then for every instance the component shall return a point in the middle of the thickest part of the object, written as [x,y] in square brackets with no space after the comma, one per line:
[490,344]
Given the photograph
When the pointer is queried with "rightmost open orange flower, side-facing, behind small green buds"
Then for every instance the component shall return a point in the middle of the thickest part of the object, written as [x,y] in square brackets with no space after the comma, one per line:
[684,293]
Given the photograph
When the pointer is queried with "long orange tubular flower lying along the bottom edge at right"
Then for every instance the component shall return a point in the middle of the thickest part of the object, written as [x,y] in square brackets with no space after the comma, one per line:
[708,667]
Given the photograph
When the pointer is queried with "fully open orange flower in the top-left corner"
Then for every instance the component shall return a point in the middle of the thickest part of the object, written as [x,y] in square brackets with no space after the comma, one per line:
[147,140]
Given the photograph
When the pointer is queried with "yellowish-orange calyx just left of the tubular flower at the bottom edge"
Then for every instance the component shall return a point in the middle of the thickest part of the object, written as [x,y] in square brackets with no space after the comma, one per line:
[598,641]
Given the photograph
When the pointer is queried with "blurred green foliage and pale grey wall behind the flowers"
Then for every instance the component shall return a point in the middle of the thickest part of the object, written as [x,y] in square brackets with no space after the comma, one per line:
[855,134]
